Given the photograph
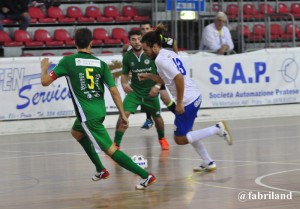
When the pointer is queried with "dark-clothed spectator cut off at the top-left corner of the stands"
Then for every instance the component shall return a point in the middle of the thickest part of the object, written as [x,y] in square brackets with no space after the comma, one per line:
[15,10]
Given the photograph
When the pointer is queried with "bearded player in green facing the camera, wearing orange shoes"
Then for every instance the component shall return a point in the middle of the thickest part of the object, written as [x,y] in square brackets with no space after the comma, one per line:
[140,93]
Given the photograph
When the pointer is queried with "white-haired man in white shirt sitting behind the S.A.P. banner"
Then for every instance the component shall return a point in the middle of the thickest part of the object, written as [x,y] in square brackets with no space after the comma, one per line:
[216,36]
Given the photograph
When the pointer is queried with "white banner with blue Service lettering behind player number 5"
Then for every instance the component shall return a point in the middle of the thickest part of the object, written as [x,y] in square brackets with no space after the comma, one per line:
[23,96]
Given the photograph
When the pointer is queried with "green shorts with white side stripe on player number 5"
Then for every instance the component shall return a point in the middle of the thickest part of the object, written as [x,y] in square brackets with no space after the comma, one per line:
[96,132]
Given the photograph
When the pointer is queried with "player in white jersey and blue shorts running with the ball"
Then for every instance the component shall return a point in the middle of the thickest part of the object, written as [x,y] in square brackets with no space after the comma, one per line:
[173,74]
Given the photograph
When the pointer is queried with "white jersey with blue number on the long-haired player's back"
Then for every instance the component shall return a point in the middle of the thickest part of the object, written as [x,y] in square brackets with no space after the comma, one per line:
[168,66]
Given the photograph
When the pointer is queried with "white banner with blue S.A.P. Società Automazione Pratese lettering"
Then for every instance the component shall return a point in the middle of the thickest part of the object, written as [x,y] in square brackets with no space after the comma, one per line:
[257,78]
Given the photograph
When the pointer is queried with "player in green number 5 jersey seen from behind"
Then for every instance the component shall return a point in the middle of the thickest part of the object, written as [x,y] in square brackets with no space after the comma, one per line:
[86,76]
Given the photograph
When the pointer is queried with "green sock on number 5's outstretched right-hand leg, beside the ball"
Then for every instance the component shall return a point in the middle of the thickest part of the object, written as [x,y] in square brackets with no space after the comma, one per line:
[123,160]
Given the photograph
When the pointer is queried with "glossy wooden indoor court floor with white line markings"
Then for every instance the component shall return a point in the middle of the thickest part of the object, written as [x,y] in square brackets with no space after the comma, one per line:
[260,169]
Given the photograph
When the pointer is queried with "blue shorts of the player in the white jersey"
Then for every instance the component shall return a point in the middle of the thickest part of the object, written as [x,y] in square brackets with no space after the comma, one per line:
[184,123]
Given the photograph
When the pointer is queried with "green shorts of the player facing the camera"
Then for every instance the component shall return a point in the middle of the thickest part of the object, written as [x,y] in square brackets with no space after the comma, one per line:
[149,104]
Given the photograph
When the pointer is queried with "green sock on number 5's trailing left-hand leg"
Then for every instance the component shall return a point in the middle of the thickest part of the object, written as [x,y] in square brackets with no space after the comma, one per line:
[90,151]
